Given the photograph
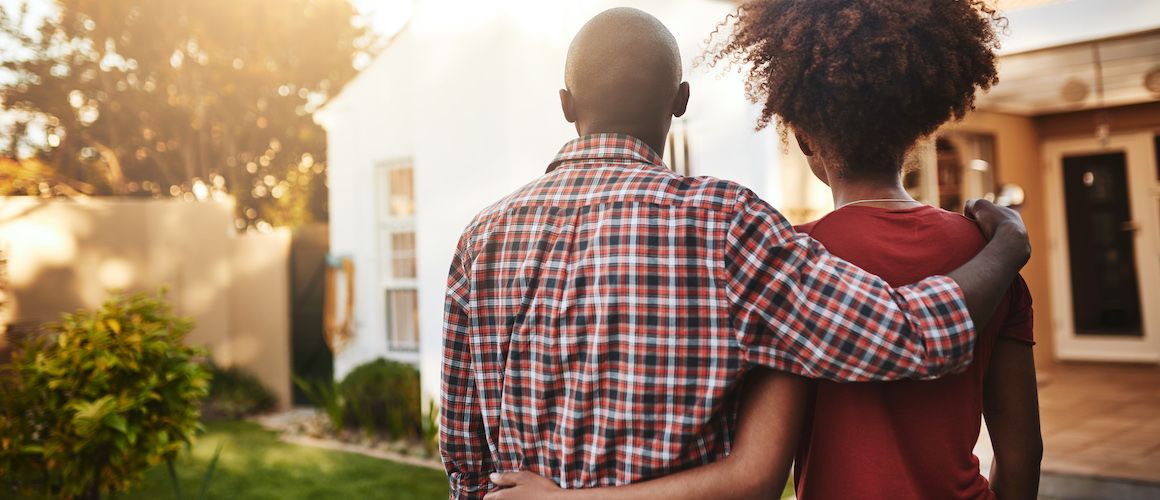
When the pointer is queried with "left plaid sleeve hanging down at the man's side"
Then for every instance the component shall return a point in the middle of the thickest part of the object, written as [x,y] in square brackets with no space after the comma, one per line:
[462,443]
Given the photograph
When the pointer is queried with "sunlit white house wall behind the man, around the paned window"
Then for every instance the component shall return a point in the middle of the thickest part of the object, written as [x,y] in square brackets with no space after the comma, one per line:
[469,92]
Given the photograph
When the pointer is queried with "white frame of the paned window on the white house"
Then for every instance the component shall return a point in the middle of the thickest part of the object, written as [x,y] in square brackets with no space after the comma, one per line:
[388,226]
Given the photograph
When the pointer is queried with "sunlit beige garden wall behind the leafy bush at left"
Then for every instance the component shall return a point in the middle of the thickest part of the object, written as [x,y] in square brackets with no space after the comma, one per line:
[67,255]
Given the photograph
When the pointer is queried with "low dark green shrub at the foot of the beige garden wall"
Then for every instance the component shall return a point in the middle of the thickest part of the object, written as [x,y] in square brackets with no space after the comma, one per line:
[236,394]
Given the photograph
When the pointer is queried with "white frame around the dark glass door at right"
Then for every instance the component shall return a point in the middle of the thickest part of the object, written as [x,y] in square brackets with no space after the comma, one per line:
[1144,200]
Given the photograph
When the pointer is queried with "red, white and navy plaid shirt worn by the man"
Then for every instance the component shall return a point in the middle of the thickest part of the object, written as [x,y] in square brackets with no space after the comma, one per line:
[598,321]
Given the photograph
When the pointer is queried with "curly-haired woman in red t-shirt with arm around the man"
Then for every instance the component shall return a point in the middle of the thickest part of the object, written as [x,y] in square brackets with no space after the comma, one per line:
[859,83]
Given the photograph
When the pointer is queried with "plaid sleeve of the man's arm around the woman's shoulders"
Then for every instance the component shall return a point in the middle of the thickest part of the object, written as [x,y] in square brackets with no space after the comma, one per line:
[799,309]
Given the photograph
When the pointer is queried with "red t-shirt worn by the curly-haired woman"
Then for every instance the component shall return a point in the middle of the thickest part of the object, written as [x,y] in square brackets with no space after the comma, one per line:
[911,439]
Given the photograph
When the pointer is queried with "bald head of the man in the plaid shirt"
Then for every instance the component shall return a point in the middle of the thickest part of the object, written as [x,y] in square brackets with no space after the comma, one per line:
[623,70]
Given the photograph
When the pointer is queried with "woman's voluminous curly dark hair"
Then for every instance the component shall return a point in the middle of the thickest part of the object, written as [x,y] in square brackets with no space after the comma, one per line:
[865,78]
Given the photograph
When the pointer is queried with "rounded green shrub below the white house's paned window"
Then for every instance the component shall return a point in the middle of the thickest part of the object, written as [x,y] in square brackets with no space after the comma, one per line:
[385,396]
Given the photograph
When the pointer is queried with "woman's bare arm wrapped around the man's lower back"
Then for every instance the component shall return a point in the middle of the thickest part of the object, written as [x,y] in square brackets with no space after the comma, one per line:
[770,425]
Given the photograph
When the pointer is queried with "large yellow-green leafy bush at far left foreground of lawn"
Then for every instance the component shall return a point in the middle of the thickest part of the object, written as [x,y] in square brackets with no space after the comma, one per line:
[110,394]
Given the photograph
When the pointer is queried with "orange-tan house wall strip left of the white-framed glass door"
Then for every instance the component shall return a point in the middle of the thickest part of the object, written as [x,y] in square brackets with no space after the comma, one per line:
[1019,162]
